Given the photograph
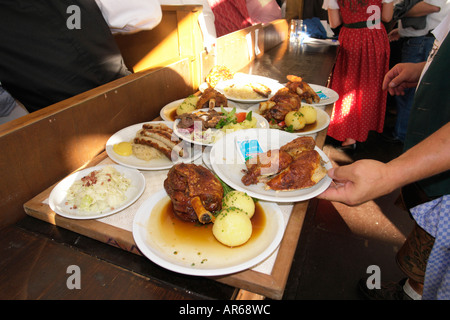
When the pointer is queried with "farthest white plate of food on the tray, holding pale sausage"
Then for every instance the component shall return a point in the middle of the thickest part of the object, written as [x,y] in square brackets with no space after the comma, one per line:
[245,88]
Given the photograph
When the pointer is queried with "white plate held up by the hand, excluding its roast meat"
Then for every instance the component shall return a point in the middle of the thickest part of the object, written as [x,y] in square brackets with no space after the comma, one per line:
[229,166]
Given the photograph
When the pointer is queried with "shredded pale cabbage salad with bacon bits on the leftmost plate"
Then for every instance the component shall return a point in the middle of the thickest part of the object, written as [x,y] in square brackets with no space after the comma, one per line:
[100,191]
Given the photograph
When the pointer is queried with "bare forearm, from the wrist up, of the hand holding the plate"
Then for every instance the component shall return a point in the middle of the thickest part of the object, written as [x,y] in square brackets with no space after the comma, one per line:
[428,158]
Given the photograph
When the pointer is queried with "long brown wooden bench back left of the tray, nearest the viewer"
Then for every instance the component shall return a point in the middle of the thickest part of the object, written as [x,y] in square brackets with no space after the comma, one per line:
[41,148]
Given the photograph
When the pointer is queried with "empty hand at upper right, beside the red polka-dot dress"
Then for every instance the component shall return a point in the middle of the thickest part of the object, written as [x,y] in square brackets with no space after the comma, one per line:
[401,77]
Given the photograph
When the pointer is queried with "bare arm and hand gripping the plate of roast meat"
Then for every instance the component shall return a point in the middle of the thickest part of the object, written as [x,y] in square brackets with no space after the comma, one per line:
[366,180]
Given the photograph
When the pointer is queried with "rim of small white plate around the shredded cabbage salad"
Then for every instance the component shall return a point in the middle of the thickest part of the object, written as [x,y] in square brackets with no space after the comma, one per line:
[58,196]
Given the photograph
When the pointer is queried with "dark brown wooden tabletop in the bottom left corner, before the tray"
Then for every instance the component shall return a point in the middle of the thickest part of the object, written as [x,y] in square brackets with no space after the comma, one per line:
[35,268]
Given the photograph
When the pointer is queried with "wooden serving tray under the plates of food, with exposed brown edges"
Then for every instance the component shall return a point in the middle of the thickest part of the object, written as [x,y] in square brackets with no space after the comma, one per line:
[270,285]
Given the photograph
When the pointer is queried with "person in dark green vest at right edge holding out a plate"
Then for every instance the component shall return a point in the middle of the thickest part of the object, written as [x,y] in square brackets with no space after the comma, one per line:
[422,172]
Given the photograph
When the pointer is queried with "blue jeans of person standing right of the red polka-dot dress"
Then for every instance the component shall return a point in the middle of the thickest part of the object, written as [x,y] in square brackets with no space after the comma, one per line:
[414,49]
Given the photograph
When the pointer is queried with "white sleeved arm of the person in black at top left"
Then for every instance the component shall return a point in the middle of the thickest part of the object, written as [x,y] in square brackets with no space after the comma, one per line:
[130,16]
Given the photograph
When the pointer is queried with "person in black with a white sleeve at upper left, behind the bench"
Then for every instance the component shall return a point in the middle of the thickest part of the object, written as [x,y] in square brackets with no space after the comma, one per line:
[51,50]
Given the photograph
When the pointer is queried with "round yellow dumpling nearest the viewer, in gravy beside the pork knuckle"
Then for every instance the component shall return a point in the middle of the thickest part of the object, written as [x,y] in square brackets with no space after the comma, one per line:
[232,227]
